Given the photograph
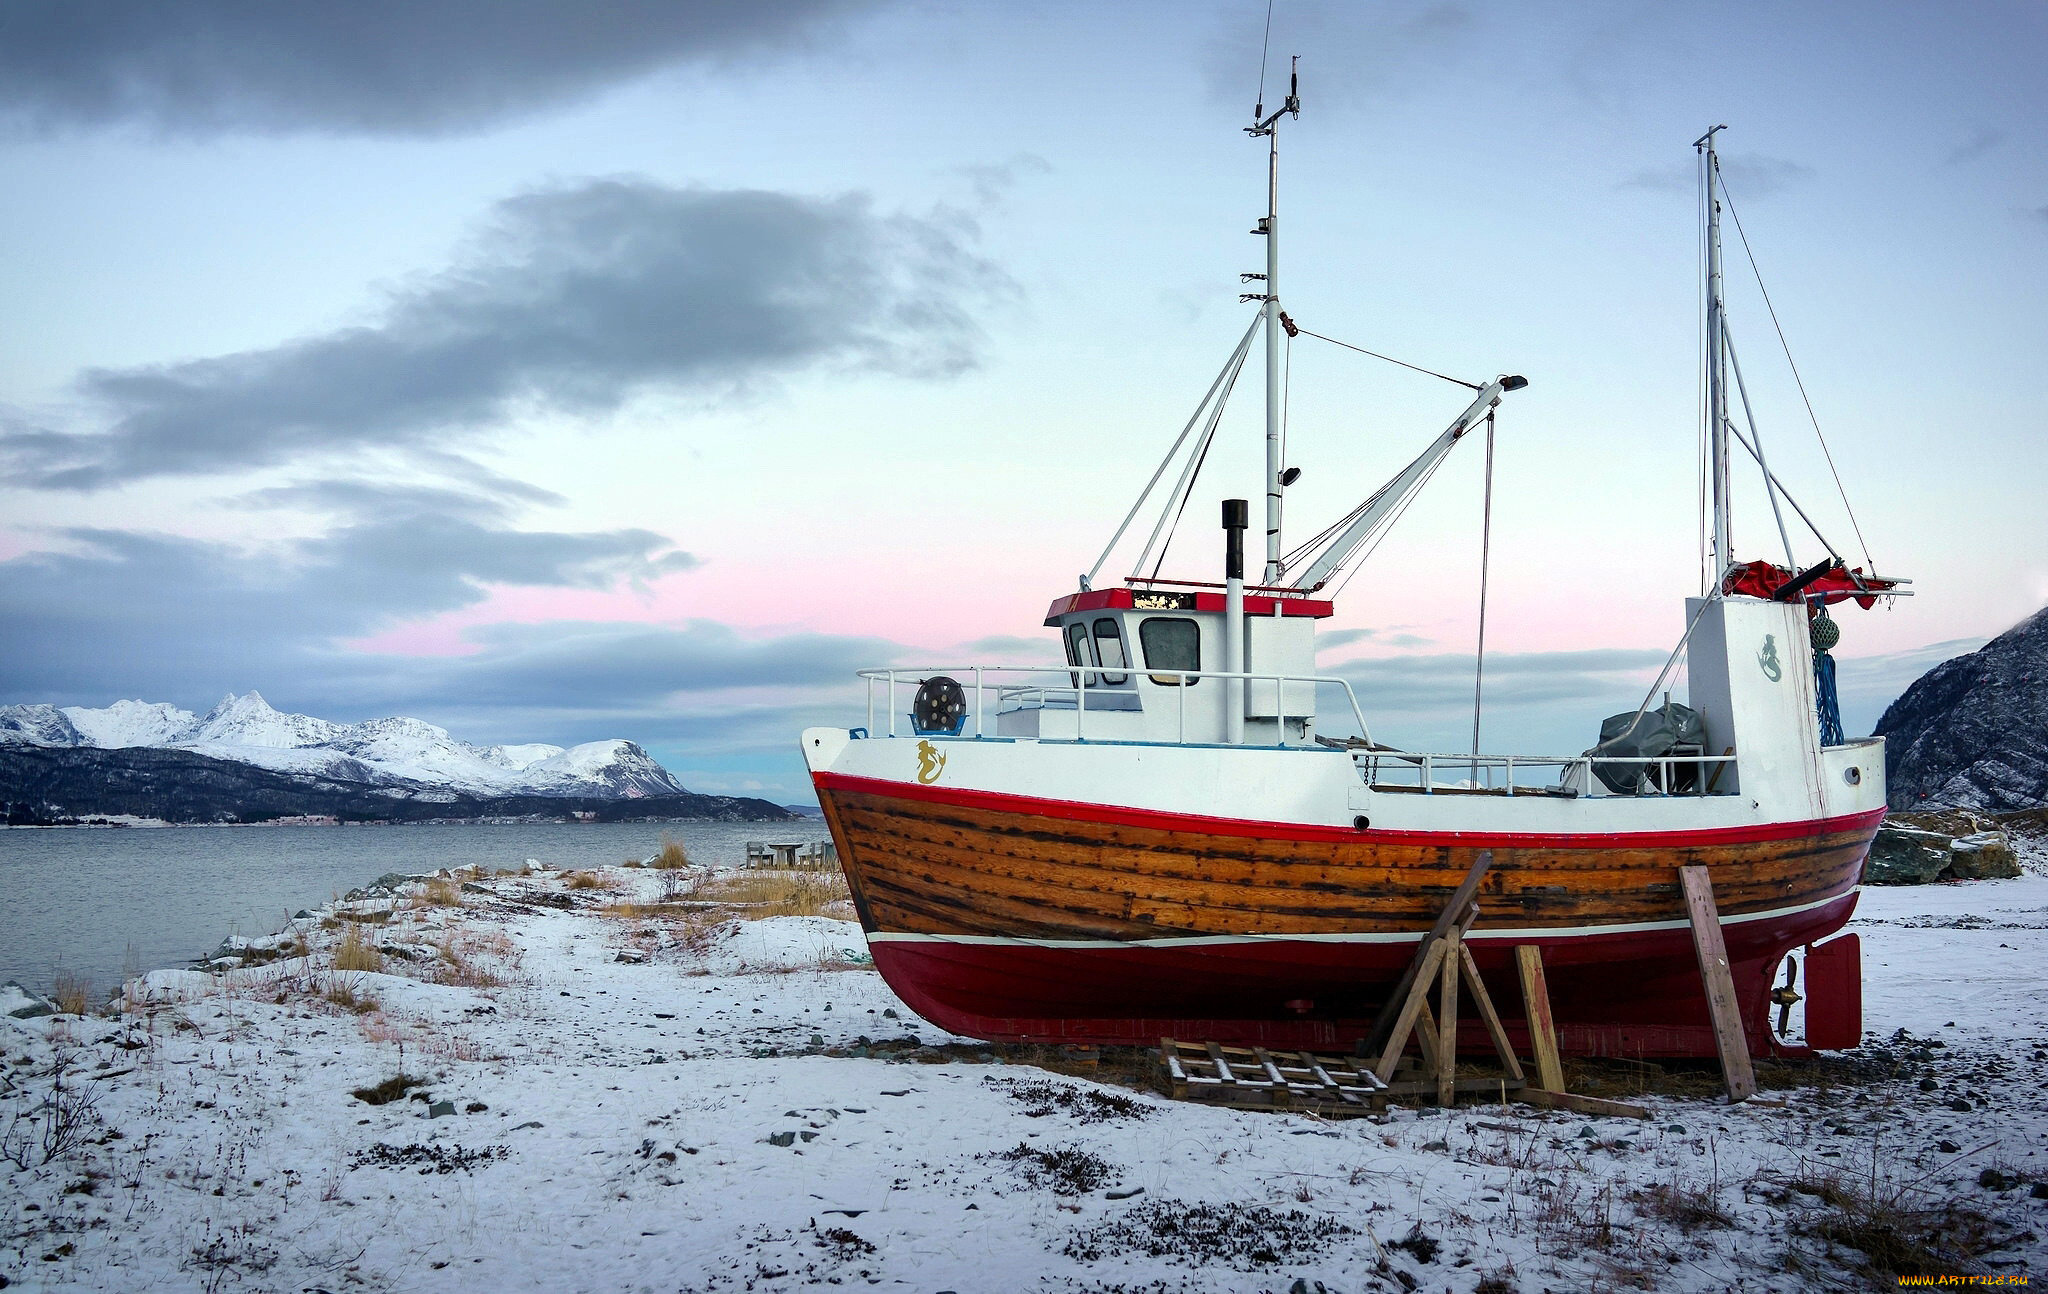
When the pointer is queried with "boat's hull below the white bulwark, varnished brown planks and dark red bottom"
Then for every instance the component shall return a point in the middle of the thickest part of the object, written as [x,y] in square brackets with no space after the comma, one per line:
[1017,920]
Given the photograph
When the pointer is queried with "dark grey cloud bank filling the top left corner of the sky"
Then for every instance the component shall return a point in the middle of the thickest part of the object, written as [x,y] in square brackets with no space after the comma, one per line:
[368,67]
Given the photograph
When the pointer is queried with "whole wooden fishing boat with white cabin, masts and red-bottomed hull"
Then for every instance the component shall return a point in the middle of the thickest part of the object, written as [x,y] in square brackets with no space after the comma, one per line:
[1160,836]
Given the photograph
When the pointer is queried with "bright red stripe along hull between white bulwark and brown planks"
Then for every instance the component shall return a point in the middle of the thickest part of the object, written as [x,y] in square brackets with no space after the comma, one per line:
[1267,830]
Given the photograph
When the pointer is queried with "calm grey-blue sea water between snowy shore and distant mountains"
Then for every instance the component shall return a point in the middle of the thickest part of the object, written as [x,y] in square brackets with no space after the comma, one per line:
[79,898]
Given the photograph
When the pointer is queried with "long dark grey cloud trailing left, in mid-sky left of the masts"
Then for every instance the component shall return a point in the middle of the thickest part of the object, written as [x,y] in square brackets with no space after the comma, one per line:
[572,300]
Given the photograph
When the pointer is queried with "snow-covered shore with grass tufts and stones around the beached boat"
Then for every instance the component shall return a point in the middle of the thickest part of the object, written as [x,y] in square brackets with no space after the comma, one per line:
[669,1098]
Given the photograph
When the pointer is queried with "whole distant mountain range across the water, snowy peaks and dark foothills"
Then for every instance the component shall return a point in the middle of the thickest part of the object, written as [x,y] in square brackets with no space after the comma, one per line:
[245,757]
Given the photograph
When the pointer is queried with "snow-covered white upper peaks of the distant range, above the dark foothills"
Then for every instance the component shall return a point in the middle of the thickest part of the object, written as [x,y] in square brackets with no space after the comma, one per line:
[380,750]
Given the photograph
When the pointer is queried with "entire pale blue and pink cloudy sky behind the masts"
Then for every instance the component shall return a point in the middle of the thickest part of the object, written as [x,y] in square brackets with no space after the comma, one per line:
[642,370]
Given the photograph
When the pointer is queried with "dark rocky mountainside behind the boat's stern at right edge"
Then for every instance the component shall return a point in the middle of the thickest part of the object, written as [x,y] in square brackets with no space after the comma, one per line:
[1973,732]
